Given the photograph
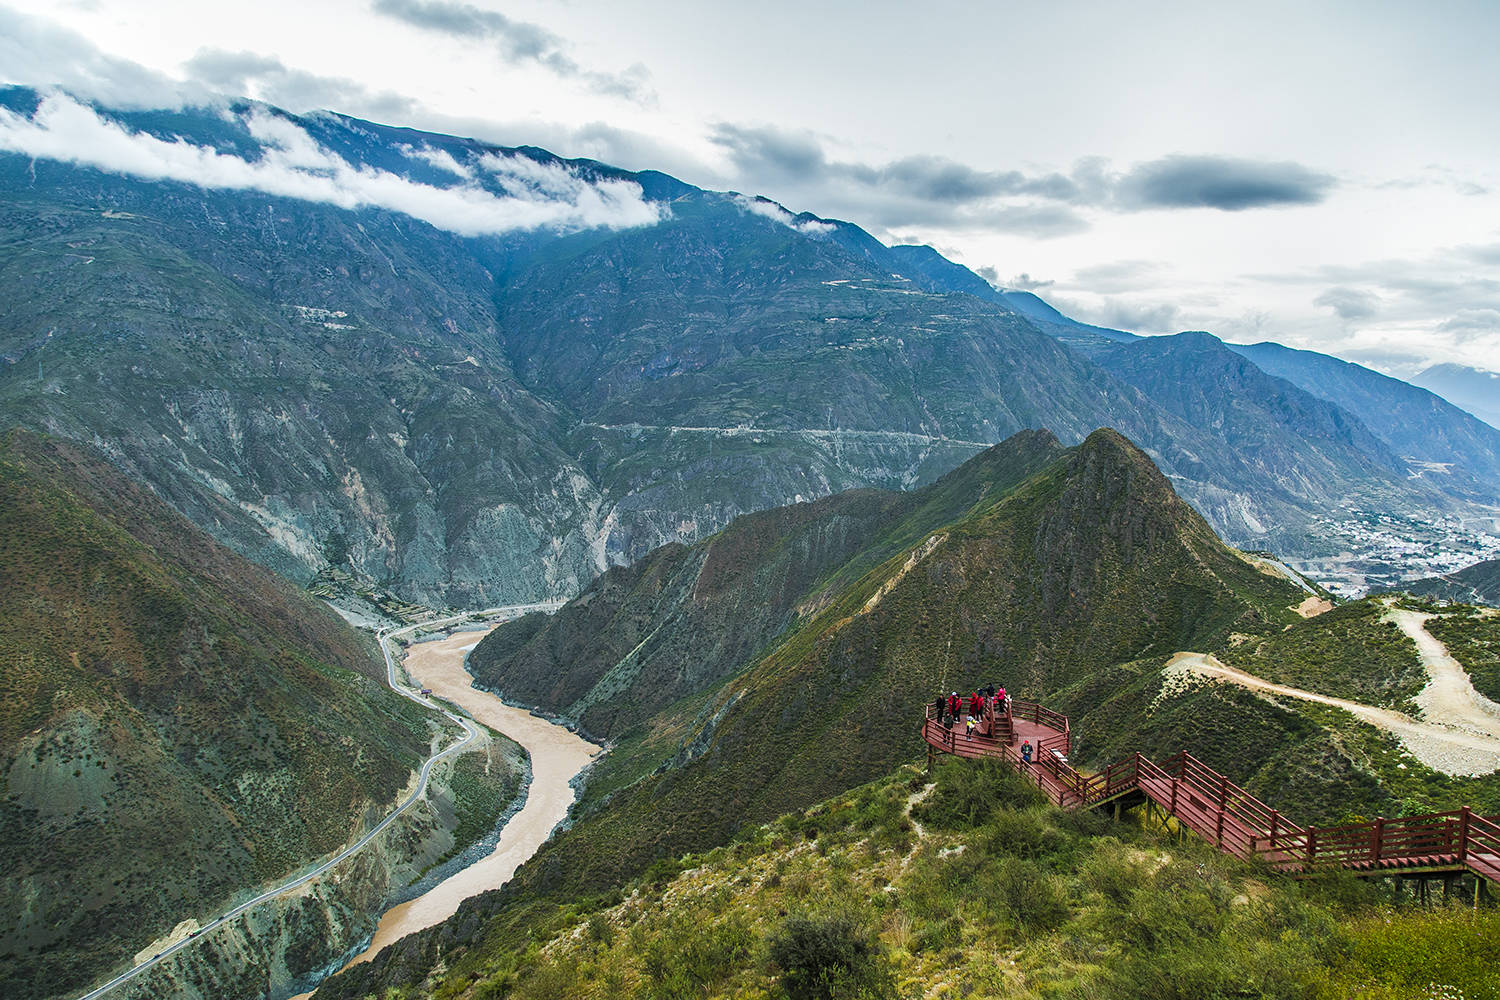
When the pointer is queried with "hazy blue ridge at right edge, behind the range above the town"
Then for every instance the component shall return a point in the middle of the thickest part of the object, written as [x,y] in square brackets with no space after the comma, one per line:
[1432,434]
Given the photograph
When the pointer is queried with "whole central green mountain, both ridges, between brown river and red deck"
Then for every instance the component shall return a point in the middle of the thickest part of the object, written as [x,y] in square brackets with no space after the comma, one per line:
[1069,576]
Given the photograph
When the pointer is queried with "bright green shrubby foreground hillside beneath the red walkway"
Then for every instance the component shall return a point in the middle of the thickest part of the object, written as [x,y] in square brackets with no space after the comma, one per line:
[997,896]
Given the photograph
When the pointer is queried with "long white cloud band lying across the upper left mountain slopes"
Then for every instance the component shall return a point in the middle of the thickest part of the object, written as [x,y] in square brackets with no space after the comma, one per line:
[293,166]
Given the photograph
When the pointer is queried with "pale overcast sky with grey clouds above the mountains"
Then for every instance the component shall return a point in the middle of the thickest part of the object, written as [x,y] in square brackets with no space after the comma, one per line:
[1321,175]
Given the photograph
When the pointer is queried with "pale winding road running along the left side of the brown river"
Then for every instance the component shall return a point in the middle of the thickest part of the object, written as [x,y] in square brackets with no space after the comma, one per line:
[470,735]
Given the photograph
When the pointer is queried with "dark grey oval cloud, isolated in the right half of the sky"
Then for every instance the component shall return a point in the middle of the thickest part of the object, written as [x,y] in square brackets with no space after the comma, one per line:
[1220,182]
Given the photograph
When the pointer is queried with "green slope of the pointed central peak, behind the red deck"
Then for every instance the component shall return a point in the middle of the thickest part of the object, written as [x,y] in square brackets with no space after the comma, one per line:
[1090,563]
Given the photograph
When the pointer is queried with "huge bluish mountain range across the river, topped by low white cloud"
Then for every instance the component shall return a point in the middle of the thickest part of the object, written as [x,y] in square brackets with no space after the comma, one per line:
[478,418]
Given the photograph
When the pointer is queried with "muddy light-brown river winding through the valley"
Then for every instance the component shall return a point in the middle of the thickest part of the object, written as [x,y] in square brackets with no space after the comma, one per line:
[557,756]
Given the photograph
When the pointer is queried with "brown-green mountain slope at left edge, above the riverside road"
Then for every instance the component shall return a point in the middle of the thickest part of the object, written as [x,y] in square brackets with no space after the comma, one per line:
[176,725]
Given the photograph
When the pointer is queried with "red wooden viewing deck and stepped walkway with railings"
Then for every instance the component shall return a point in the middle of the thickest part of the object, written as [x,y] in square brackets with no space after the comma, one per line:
[1223,813]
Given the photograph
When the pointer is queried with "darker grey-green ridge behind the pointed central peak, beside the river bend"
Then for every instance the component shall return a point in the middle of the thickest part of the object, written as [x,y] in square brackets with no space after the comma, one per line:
[686,618]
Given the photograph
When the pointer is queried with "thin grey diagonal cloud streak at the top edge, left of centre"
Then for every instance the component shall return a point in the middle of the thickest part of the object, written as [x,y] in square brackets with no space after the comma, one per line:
[518,41]
